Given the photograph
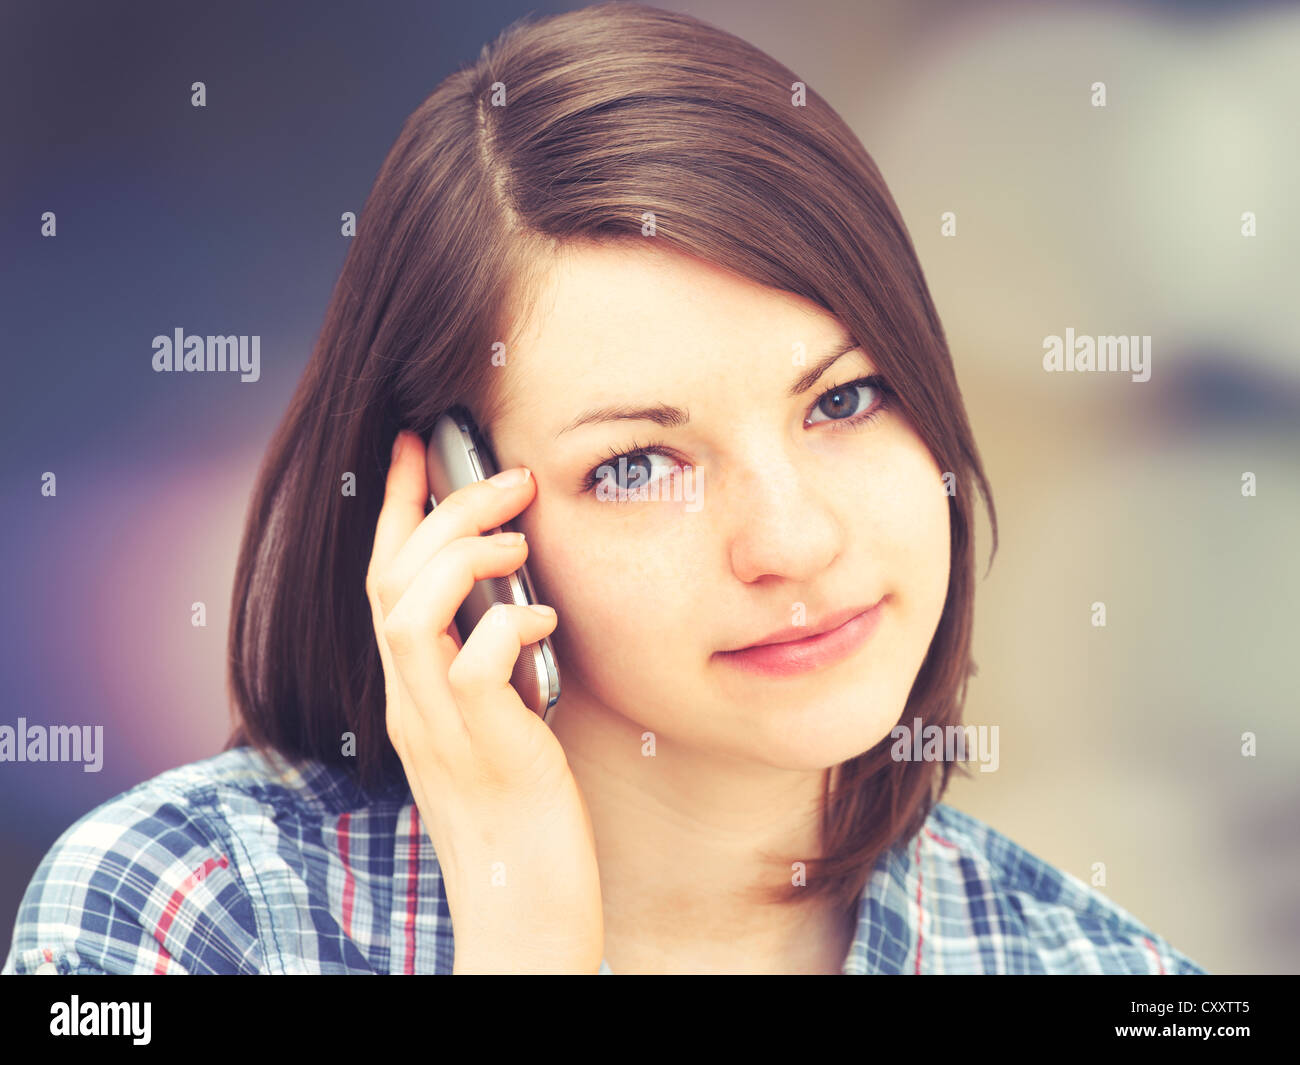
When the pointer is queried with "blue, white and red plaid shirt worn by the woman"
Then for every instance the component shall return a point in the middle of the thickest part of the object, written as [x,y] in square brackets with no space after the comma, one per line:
[226,867]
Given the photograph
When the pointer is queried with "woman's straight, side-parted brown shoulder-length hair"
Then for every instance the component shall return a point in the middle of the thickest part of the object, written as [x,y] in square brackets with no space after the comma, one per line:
[612,111]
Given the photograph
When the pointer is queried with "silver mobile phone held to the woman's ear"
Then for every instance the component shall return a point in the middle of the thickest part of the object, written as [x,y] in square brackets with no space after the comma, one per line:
[458,456]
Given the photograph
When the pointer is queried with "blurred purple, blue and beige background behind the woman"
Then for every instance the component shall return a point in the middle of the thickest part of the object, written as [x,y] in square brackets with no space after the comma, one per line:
[1119,744]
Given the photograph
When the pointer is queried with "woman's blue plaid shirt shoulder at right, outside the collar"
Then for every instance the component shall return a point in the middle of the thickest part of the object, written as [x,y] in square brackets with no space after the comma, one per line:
[1021,914]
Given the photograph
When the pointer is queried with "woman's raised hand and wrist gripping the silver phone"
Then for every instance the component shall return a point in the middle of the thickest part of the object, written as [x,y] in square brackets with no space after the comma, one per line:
[495,790]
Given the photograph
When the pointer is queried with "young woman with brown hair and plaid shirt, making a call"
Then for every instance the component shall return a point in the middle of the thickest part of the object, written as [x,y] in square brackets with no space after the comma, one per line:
[643,256]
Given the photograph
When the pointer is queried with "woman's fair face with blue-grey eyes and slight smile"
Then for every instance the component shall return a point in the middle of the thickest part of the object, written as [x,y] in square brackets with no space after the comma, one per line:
[792,514]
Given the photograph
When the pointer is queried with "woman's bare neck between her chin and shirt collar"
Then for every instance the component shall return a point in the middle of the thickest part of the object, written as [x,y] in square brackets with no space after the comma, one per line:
[687,846]
